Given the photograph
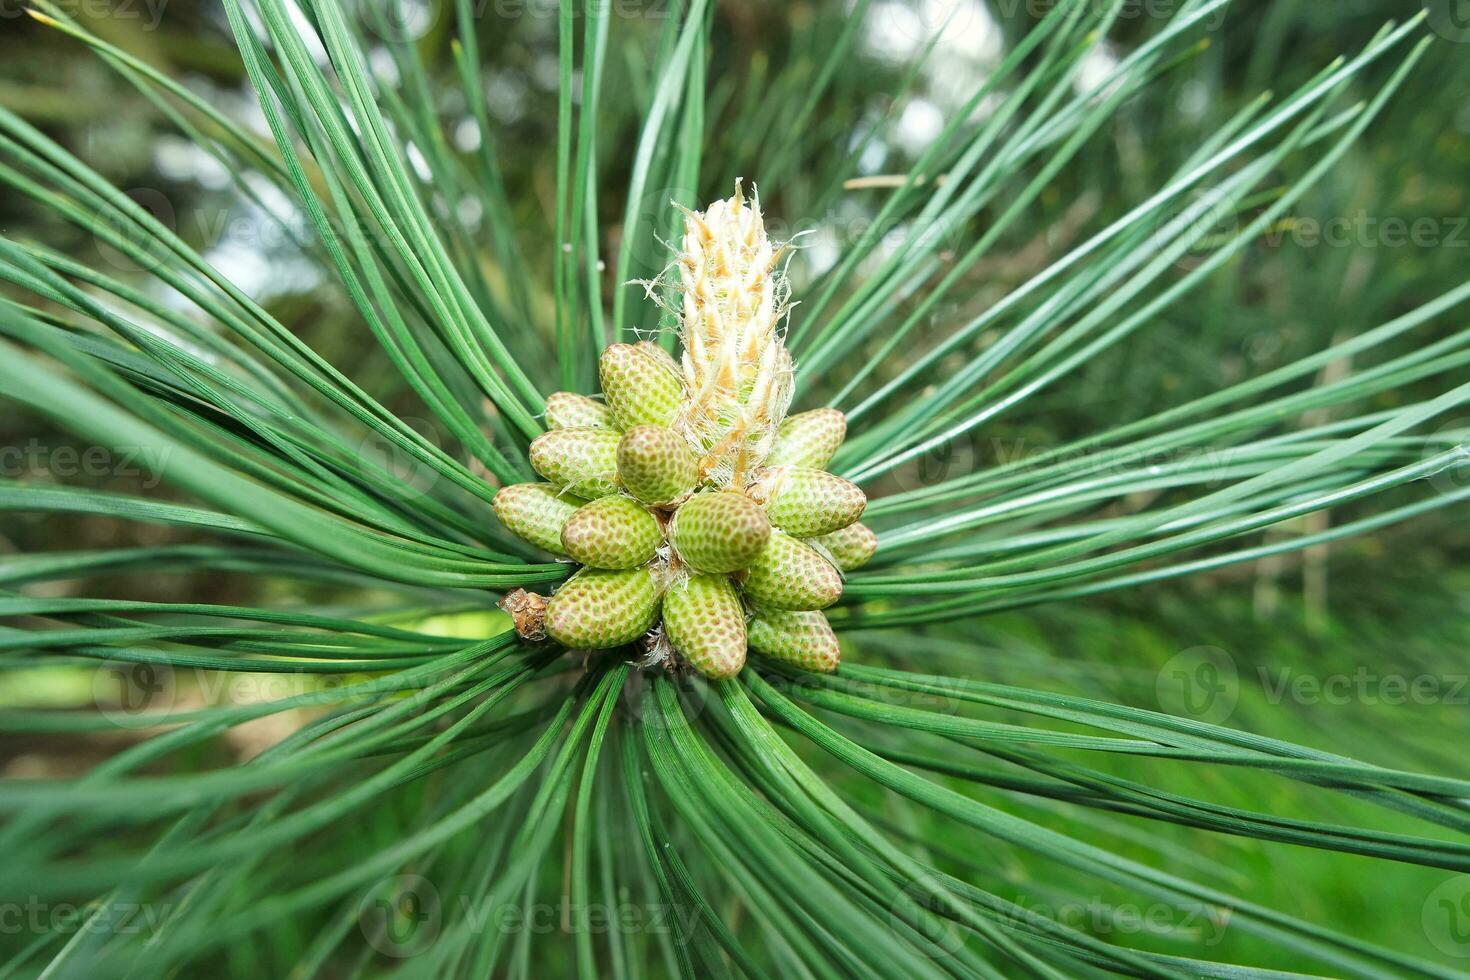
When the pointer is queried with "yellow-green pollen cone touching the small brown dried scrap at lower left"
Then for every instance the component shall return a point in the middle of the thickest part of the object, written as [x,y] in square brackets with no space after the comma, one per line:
[599,609]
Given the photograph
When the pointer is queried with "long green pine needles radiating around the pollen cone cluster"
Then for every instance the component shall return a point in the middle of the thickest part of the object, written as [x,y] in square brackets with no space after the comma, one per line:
[880,821]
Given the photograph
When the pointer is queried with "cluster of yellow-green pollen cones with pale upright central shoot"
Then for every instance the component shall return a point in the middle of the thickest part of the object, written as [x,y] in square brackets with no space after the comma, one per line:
[700,514]
